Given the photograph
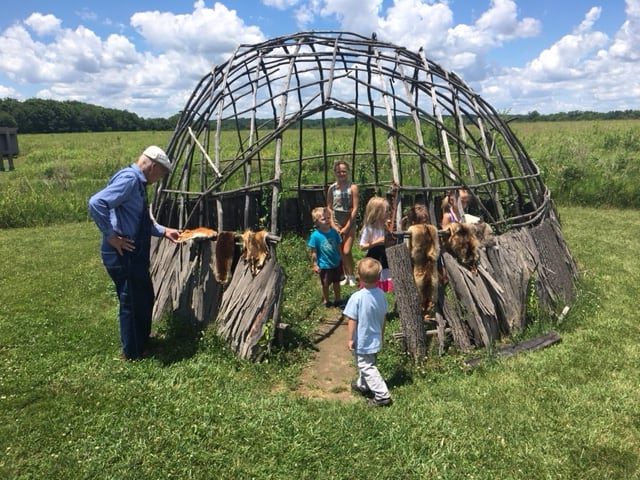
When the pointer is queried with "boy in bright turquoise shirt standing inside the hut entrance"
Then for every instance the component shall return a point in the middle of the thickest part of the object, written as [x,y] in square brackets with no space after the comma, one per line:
[324,243]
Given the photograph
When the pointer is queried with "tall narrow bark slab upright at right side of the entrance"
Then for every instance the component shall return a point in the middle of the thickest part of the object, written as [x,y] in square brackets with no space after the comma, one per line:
[408,301]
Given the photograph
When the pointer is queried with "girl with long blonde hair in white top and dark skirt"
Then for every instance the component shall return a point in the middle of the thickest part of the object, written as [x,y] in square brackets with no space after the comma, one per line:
[373,237]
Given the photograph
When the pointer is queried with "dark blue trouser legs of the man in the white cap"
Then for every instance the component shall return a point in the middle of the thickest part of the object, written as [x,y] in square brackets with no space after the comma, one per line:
[130,274]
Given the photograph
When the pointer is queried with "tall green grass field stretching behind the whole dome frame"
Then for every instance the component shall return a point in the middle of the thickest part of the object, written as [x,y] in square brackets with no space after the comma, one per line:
[585,163]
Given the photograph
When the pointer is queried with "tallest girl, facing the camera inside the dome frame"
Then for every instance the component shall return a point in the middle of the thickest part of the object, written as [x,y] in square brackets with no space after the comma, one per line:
[342,203]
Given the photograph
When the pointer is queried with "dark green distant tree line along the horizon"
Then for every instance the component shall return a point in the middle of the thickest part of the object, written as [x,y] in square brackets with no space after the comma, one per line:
[52,116]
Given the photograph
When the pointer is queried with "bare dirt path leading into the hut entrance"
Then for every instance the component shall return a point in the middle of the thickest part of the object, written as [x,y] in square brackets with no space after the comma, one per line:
[330,373]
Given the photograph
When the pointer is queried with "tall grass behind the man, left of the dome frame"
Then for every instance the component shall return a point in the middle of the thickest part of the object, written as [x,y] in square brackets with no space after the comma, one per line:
[55,174]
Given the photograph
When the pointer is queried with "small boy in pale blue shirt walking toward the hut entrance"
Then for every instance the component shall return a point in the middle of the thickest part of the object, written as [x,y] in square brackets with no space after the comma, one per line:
[366,310]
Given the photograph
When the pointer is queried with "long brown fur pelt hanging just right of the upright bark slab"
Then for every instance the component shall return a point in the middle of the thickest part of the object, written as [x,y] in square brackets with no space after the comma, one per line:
[424,248]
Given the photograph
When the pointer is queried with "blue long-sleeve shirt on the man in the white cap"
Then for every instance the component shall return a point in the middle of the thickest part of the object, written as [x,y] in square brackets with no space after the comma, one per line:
[117,209]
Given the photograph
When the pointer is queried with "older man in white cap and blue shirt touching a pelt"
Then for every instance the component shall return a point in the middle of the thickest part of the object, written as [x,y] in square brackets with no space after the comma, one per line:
[121,213]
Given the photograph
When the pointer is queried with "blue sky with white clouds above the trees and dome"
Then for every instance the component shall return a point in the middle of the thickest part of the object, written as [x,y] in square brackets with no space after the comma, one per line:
[147,56]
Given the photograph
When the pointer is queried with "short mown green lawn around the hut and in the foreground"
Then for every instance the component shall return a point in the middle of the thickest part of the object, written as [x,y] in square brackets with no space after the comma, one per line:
[70,409]
